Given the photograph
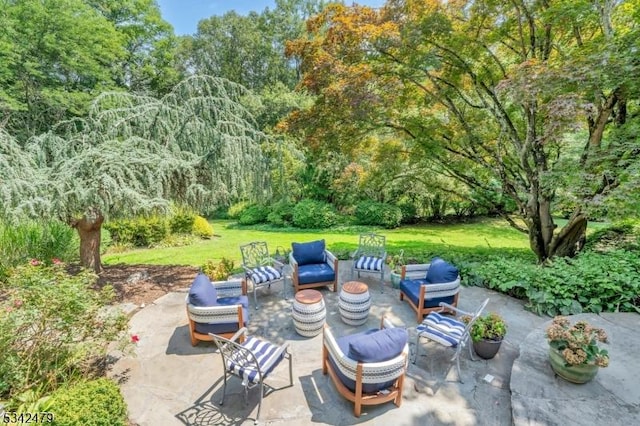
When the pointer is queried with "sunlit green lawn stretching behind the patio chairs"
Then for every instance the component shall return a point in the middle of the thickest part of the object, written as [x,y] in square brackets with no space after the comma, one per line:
[480,237]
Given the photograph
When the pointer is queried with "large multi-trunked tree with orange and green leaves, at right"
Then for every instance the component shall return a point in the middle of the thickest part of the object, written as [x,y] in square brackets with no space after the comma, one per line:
[485,91]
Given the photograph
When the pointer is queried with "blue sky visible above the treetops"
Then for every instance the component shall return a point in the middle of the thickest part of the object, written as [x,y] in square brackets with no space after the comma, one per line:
[184,15]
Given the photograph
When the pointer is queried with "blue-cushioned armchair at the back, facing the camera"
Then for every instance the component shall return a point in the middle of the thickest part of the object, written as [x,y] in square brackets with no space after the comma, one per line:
[313,266]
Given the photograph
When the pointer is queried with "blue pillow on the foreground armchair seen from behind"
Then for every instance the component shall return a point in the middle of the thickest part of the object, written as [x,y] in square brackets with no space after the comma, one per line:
[379,346]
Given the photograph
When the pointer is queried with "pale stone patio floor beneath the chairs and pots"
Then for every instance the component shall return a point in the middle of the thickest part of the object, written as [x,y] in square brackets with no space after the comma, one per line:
[166,381]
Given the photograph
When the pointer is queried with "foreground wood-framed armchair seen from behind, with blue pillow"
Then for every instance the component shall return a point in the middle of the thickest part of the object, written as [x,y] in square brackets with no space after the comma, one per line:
[367,368]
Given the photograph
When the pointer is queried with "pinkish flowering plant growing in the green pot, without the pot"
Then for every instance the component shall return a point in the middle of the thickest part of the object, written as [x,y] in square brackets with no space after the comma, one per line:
[578,343]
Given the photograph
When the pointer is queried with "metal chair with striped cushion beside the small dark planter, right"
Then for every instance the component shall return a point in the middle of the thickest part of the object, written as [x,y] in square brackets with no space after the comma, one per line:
[449,332]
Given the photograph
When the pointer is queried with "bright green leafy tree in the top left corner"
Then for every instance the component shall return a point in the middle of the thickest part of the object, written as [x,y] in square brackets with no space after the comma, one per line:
[56,57]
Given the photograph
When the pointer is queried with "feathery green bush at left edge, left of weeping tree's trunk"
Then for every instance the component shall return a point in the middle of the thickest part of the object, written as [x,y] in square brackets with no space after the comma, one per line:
[40,240]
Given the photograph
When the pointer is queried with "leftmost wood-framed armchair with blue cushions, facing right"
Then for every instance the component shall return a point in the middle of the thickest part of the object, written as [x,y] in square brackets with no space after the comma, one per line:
[220,307]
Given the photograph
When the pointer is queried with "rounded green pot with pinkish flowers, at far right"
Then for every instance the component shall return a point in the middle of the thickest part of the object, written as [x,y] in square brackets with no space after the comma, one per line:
[574,353]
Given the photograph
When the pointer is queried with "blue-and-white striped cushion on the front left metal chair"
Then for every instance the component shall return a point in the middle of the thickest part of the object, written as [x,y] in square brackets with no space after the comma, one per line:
[266,354]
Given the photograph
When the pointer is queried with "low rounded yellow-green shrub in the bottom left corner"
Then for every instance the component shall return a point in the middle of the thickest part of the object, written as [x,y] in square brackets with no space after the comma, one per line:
[89,403]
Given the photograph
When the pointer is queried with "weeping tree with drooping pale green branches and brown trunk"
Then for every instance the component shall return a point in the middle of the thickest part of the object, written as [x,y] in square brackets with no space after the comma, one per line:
[133,155]
